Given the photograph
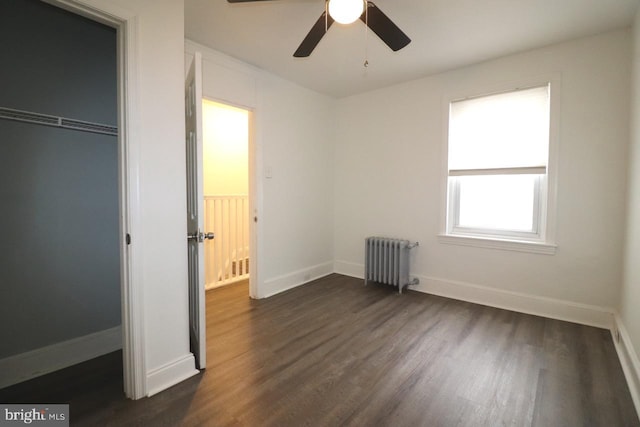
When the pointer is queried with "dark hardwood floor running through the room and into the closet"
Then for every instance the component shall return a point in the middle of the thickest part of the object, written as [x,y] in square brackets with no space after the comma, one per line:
[334,352]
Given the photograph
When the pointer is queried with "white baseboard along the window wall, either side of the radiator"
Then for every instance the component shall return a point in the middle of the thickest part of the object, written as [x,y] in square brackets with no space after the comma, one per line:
[591,315]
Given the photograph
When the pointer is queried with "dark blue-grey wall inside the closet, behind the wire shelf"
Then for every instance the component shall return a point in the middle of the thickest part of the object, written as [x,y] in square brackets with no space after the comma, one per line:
[59,247]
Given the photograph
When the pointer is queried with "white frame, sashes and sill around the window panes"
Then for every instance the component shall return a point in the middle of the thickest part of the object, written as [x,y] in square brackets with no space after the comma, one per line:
[542,238]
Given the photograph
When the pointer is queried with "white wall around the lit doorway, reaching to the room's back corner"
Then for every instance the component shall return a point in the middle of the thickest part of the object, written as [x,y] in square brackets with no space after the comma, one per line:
[293,137]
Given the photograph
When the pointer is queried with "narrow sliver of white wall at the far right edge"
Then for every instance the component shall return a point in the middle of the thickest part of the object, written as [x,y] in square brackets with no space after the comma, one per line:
[629,320]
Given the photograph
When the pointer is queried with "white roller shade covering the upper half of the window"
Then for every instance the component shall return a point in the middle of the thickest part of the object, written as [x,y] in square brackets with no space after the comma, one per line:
[498,132]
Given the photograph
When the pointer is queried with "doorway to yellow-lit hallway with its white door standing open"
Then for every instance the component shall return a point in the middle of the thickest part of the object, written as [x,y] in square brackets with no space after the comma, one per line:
[230,158]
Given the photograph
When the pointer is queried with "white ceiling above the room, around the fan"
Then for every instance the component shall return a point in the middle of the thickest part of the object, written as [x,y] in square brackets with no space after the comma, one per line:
[445,34]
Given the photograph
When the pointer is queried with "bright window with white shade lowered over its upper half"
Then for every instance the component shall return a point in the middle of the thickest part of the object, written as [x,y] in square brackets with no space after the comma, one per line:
[498,153]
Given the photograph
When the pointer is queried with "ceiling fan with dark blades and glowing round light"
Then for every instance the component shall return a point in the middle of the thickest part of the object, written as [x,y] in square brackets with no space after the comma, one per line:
[346,12]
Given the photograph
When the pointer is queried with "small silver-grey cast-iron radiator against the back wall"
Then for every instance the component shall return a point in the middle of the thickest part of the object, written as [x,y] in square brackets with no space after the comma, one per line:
[386,261]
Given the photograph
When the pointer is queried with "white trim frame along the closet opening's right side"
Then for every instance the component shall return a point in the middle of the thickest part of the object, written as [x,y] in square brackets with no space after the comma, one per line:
[124,21]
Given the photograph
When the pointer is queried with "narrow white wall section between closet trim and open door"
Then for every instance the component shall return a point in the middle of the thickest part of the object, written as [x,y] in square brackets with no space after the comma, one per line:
[157,142]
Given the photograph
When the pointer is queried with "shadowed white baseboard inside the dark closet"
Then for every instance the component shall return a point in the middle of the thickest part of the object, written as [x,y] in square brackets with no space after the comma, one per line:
[41,361]
